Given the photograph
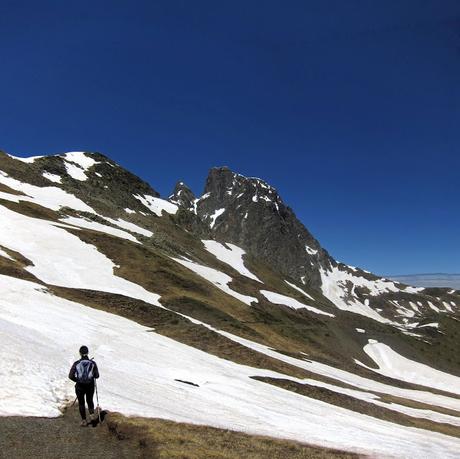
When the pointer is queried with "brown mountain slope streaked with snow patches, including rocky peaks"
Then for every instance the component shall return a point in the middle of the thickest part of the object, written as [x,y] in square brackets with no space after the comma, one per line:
[220,310]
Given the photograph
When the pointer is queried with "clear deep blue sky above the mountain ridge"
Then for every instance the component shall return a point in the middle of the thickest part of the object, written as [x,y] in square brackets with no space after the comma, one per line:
[351,109]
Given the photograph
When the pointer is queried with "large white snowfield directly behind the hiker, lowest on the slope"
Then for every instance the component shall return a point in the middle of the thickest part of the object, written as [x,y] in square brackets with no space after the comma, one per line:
[43,333]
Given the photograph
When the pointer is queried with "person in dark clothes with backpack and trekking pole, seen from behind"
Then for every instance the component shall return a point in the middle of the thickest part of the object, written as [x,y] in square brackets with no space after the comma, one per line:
[83,373]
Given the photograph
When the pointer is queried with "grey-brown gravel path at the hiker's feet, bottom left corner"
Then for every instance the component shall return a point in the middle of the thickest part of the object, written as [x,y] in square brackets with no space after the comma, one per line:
[60,438]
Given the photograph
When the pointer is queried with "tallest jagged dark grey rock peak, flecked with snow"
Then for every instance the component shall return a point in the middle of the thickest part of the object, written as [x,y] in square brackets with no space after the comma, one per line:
[250,213]
